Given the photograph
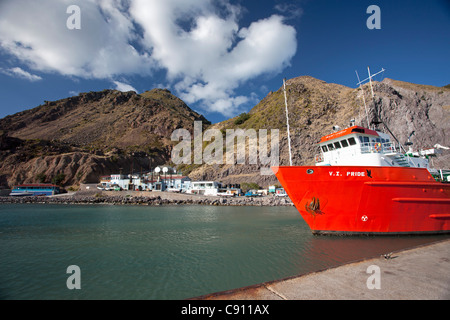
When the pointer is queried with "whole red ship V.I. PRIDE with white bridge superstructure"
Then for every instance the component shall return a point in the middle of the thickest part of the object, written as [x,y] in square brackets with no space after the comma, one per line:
[362,184]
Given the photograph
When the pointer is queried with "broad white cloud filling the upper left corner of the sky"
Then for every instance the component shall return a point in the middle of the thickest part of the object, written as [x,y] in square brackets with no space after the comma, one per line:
[36,33]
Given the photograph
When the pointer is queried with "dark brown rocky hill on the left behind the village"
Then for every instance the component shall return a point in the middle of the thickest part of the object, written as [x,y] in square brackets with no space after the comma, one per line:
[81,138]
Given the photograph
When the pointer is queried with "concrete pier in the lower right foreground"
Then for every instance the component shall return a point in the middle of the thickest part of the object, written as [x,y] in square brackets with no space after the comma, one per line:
[420,273]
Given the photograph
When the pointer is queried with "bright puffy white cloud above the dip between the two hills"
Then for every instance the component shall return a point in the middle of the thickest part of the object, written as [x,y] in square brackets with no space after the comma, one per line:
[212,57]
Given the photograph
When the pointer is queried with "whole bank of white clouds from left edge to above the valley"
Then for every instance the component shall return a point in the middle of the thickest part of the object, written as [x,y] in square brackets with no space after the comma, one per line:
[198,43]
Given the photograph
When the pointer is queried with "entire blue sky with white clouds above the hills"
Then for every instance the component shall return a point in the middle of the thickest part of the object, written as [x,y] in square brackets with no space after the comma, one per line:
[221,57]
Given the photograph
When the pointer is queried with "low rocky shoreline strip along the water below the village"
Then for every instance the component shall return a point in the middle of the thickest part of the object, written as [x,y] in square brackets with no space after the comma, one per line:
[139,198]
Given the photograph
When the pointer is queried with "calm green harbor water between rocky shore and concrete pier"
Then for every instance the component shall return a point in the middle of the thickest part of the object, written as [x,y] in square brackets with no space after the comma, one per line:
[165,252]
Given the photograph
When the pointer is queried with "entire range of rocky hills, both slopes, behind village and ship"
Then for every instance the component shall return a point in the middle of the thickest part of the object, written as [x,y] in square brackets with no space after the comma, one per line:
[81,138]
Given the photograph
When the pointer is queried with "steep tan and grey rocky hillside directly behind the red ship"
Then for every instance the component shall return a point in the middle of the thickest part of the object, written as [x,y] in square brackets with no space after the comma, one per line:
[316,106]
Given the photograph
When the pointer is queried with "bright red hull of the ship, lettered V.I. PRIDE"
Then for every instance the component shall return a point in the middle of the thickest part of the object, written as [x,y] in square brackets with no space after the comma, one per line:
[367,200]
